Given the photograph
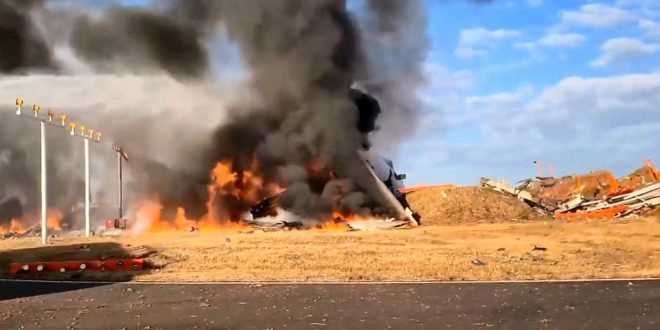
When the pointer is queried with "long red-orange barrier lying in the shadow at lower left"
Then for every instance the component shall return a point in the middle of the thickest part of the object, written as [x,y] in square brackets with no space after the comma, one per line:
[77,265]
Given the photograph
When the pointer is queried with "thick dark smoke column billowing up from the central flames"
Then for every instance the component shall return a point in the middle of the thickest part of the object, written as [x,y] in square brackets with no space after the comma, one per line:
[302,63]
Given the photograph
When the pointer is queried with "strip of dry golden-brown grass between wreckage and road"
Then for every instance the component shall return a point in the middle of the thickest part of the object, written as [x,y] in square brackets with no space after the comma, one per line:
[584,249]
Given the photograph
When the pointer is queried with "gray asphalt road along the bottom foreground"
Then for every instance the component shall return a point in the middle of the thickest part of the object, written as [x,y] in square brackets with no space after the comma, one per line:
[569,305]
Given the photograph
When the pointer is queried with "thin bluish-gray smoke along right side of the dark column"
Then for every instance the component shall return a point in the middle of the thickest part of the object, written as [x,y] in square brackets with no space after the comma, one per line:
[397,45]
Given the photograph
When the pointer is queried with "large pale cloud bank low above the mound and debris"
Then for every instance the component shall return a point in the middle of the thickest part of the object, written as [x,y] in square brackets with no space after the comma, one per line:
[575,123]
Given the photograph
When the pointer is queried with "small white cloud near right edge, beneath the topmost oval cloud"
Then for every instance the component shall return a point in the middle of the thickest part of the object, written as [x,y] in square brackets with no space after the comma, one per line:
[622,50]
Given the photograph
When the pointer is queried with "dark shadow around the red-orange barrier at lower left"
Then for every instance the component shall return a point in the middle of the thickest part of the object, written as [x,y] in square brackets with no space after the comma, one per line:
[83,252]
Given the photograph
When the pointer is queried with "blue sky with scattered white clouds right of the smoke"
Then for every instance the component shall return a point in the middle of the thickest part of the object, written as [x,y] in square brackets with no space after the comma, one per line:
[576,83]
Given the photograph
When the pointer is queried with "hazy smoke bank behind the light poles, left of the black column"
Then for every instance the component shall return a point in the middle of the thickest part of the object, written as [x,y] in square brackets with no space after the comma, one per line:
[122,42]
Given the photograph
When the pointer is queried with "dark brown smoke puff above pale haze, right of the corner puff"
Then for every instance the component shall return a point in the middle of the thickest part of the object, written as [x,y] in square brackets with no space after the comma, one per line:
[139,40]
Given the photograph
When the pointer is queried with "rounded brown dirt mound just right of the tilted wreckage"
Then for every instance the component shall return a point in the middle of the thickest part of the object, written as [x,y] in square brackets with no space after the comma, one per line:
[469,205]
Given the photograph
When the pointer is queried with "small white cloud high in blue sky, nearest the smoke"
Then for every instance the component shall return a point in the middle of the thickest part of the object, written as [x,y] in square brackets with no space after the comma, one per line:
[477,42]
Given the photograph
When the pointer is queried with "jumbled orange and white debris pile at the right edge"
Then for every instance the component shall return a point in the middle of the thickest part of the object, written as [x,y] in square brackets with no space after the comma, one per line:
[596,195]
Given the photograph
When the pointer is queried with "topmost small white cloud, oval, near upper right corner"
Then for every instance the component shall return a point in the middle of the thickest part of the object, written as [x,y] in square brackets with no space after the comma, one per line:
[598,16]
